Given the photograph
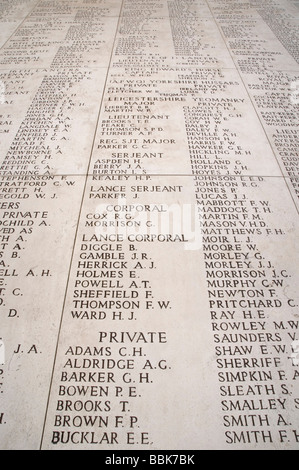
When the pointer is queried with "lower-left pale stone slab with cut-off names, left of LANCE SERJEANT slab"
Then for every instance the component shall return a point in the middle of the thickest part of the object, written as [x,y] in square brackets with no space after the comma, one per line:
[27,226]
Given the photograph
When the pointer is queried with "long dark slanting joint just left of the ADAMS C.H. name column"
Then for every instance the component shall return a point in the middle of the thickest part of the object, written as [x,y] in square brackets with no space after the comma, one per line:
[77,227]
